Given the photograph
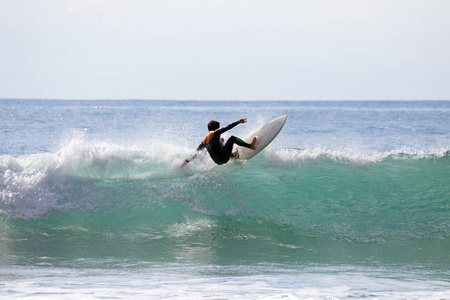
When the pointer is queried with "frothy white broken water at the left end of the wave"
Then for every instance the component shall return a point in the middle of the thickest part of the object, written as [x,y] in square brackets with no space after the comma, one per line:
[36,185]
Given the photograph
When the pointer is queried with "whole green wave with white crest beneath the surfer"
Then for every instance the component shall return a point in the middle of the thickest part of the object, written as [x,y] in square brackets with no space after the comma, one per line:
[285,205]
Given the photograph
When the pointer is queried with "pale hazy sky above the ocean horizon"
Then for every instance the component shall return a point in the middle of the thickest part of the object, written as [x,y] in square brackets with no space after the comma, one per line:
[225,49]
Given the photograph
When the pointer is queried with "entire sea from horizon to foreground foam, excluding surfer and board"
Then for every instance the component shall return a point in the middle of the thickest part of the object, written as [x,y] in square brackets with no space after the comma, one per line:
[350,201]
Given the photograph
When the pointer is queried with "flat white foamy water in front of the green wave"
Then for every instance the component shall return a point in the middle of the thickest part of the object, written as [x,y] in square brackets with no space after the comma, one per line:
[172,282]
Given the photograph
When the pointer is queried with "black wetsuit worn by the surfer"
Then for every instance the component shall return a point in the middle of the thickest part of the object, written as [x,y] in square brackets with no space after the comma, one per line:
[219,152]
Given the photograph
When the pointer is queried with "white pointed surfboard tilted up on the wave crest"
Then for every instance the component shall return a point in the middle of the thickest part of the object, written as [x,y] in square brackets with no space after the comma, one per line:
[265,135]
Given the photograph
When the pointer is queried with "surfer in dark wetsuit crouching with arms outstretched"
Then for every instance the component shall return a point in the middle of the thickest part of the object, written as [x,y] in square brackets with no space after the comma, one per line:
[219,152]
